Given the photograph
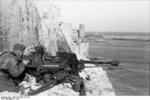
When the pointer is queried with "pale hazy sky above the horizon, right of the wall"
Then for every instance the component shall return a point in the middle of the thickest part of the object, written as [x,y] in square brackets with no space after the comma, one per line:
[108,15]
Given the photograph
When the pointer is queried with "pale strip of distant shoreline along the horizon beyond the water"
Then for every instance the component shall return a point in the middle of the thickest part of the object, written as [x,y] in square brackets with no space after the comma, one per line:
[119,36]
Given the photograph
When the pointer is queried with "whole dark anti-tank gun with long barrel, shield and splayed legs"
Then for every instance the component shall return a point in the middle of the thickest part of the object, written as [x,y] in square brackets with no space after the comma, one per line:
[63,68]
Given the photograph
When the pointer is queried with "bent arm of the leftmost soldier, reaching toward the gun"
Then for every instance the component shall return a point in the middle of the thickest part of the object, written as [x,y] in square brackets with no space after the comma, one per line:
[14,68]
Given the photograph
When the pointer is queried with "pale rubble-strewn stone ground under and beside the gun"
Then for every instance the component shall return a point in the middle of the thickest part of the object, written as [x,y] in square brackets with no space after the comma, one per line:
[96,84]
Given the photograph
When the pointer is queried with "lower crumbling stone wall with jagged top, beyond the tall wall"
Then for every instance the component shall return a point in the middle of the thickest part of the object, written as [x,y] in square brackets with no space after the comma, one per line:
[75,39]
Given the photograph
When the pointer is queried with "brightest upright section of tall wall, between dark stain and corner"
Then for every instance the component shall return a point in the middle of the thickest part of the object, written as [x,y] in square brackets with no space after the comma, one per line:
[49,14]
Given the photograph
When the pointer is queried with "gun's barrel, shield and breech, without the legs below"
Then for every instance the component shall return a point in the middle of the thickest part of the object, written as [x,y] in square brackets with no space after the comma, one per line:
[63,61]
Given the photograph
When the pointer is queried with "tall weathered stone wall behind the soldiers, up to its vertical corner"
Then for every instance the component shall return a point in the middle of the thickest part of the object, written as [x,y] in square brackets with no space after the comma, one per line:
[29,22]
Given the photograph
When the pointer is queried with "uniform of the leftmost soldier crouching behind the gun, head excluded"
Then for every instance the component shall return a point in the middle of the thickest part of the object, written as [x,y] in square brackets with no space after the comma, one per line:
[11,67]
